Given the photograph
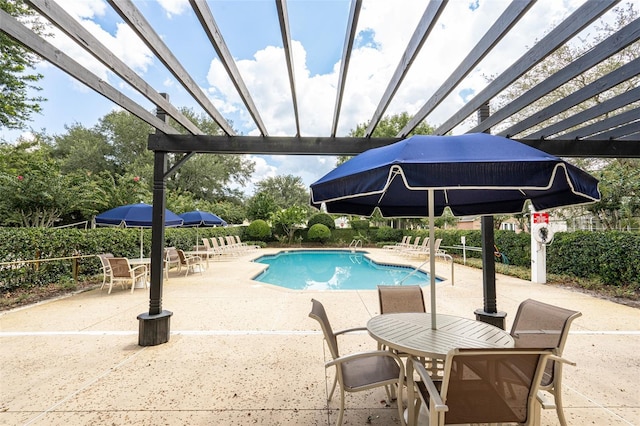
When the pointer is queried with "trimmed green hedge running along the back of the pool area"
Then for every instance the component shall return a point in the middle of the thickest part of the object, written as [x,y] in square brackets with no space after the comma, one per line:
[611,257]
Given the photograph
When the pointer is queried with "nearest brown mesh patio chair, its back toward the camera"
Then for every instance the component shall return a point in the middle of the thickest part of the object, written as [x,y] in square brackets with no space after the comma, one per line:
[480,386]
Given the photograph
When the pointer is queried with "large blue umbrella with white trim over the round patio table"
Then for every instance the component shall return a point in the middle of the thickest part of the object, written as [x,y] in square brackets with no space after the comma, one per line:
[472,174]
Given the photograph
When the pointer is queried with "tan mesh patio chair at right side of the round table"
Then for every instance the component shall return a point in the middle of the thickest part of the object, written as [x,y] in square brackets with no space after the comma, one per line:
[539,324]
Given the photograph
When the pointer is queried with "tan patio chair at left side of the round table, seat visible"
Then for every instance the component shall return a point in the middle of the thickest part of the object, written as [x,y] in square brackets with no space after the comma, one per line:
[359,371]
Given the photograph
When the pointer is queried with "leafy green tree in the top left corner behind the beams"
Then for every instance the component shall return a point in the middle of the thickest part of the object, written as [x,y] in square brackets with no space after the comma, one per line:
[16,79]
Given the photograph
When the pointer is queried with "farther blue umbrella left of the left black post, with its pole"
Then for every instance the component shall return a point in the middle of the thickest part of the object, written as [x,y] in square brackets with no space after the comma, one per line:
[135,216]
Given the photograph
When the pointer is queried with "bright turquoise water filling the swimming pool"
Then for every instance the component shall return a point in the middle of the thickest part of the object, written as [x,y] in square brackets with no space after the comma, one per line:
[333,270]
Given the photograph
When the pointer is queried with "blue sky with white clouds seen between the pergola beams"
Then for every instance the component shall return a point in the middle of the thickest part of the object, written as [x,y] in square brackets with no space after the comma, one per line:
[251,31]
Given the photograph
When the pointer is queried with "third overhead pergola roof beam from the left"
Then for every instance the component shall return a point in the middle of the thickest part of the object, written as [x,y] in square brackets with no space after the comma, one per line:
[137,22]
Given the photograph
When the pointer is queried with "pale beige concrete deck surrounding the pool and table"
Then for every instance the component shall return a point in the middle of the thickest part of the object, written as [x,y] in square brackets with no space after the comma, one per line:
[245,353]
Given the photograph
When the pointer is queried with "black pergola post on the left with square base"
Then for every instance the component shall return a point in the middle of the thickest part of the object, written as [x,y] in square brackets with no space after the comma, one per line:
[154,326]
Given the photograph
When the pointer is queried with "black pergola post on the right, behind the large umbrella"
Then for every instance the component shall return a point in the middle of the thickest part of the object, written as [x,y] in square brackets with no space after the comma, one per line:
[489,313]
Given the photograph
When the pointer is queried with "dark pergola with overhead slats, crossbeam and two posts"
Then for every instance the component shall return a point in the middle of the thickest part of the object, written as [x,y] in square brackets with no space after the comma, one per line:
[609,128]
